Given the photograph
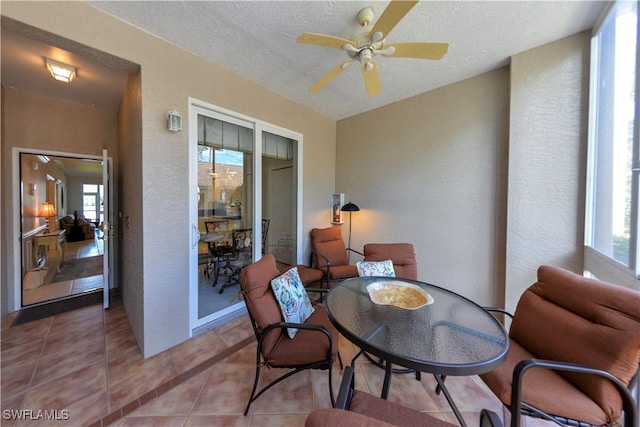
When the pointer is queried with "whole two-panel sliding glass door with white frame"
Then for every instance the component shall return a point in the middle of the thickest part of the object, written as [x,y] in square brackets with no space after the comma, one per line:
[240,207]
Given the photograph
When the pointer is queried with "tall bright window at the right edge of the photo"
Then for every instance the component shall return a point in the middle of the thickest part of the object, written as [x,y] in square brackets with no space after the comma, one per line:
[612,190]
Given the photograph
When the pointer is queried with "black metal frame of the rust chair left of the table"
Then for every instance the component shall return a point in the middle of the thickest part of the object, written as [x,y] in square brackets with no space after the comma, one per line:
[326,363]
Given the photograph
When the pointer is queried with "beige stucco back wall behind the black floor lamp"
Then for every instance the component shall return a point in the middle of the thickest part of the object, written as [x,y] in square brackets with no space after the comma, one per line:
[431,170]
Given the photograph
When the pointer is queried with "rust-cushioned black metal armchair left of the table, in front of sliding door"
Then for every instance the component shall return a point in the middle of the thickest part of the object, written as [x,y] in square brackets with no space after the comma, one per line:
[314,345]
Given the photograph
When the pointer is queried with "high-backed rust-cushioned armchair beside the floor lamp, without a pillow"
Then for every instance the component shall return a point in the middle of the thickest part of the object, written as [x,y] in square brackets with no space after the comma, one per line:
[330,255]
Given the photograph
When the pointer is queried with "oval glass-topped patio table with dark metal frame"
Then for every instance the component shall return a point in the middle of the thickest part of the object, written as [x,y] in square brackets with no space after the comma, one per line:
[450,336]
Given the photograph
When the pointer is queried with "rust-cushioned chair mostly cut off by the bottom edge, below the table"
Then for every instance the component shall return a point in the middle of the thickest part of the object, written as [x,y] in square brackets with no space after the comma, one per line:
[356,408]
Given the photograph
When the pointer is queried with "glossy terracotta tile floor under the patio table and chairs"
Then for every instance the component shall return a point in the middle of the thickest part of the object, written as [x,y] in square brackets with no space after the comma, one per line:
[85,365]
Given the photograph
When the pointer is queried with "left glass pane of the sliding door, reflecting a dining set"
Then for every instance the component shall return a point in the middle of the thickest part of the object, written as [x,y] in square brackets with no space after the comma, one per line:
[225,211]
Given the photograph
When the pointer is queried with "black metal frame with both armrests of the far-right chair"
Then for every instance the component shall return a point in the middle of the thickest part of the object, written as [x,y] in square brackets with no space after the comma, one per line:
[519,408]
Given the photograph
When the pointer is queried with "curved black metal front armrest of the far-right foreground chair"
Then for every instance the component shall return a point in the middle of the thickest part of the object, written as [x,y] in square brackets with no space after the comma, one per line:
[628,403]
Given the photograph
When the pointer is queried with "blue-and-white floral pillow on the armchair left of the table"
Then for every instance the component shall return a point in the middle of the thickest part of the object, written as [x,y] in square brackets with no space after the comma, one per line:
[292,298]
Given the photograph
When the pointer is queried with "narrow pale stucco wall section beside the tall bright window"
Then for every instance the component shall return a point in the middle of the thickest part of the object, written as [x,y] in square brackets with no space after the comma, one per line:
[547,158]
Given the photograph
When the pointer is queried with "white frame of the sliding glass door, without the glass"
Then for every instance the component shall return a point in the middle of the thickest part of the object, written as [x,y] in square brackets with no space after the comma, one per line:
[197,107]
